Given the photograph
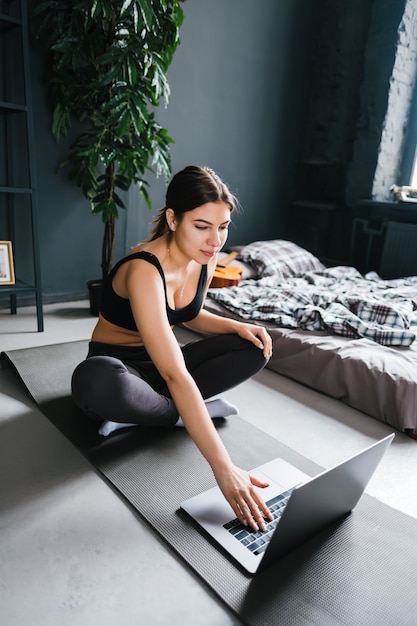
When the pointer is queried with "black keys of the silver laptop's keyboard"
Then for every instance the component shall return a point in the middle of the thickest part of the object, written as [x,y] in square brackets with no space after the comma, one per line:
[257,541]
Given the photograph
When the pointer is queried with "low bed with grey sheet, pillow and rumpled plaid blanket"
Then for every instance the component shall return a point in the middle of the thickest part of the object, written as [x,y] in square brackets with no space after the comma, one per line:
[350,336]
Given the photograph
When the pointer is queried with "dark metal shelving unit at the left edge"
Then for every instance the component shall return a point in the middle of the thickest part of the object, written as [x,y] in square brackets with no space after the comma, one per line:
[18,206]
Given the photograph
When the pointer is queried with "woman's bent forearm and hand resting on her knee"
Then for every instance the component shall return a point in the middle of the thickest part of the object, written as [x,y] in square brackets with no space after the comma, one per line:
[212,324]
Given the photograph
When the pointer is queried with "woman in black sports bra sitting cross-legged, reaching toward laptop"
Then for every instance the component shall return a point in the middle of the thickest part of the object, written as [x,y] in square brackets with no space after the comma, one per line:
[137,374]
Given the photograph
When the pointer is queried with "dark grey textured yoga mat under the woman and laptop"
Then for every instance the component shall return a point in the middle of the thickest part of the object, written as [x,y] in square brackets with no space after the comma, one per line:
[360,571]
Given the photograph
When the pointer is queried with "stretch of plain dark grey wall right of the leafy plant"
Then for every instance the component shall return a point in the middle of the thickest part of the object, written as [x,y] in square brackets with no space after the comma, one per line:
[235,102]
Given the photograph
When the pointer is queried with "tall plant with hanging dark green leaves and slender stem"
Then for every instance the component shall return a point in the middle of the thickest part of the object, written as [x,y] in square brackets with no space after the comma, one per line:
[107,63]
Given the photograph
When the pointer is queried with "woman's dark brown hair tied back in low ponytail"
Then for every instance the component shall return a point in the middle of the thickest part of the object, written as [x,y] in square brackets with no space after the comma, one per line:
[189,189]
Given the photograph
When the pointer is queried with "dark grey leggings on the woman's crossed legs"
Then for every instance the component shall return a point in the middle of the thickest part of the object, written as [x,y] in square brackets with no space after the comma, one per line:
[123,385]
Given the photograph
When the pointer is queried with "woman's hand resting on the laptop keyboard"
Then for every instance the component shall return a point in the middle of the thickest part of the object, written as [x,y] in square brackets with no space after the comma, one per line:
[239,489]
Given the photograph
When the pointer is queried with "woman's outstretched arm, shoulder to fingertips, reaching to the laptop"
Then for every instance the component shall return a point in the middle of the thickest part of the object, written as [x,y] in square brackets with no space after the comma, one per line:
[149,311]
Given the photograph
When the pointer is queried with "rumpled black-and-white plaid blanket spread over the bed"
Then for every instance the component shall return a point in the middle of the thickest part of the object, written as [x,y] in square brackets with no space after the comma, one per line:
[337,300]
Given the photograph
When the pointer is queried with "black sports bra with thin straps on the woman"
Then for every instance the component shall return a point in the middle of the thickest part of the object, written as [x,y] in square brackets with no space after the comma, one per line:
[118,311]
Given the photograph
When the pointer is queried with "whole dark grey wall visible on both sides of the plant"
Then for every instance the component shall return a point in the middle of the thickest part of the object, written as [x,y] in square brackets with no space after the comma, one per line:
[235,84]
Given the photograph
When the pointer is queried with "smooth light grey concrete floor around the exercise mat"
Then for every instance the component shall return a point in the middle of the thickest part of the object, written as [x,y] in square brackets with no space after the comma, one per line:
[73,553]
